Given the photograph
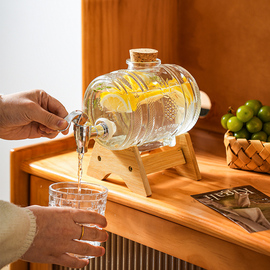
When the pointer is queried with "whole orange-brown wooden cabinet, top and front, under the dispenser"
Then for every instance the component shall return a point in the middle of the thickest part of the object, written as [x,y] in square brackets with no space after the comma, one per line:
[170,220]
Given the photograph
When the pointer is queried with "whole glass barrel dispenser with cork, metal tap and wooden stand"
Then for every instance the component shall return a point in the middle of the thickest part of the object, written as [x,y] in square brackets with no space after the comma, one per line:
[134,111]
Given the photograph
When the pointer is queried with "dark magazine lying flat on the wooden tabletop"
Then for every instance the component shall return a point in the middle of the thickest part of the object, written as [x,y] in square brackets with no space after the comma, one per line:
[244,205]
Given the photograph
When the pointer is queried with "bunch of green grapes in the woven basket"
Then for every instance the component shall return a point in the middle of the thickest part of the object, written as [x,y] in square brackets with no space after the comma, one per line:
[251,121]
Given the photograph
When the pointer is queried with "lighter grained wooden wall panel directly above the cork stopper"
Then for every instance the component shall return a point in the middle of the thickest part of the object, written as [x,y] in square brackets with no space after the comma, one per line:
[111,27]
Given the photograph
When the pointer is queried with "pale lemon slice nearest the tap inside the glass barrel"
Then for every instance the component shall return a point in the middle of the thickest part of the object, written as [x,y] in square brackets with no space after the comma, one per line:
[115,102]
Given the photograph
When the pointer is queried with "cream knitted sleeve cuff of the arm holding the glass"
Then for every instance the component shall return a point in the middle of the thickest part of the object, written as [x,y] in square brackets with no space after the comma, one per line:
[17,232]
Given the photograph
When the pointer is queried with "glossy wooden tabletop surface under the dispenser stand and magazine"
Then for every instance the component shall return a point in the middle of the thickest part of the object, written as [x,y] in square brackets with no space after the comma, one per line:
[171,194]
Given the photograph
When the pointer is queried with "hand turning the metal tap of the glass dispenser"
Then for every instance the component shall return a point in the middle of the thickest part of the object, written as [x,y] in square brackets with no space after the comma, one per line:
[31,114]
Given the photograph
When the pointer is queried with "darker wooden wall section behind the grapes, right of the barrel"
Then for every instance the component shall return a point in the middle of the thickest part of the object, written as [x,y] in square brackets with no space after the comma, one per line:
[225,46]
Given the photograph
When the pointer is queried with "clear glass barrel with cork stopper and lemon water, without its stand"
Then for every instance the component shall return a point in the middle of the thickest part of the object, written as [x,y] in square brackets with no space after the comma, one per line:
[146,105]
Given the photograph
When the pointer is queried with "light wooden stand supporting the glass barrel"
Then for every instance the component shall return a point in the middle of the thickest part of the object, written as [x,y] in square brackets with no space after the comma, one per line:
[133,167]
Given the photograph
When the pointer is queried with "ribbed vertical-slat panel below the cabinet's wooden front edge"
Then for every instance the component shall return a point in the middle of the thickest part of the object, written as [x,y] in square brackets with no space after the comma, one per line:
[124,254]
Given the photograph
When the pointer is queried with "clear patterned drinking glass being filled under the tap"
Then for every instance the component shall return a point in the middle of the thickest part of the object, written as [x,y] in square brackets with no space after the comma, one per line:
[87,196]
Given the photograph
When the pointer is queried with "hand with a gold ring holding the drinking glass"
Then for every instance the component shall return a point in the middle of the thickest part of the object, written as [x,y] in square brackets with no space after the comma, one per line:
[57,231]
